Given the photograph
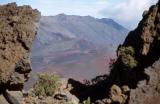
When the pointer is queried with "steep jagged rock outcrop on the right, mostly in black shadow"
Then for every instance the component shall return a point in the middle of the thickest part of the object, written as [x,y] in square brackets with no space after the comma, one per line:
[140,69]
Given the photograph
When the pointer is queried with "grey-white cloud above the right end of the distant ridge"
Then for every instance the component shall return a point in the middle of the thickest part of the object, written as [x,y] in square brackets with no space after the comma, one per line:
[128,12]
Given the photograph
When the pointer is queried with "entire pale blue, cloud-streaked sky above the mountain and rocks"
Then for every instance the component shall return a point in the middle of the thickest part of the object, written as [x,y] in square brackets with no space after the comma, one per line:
[126,12]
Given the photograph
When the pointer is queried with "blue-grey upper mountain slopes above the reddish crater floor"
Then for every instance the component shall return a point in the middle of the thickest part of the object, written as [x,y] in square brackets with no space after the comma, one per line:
[100,31]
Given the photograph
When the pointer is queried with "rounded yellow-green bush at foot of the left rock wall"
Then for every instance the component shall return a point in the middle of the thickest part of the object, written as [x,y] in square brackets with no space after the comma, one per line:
[47,84]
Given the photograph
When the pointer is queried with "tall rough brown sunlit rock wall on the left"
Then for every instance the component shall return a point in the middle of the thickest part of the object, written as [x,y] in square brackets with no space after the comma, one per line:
[18,26]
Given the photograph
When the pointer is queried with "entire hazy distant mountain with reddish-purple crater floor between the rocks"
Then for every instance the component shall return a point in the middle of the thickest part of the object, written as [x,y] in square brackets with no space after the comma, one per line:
[67,40]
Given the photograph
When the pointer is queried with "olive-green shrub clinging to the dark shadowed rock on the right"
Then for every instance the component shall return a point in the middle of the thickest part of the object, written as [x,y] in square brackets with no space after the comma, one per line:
[127,57]
